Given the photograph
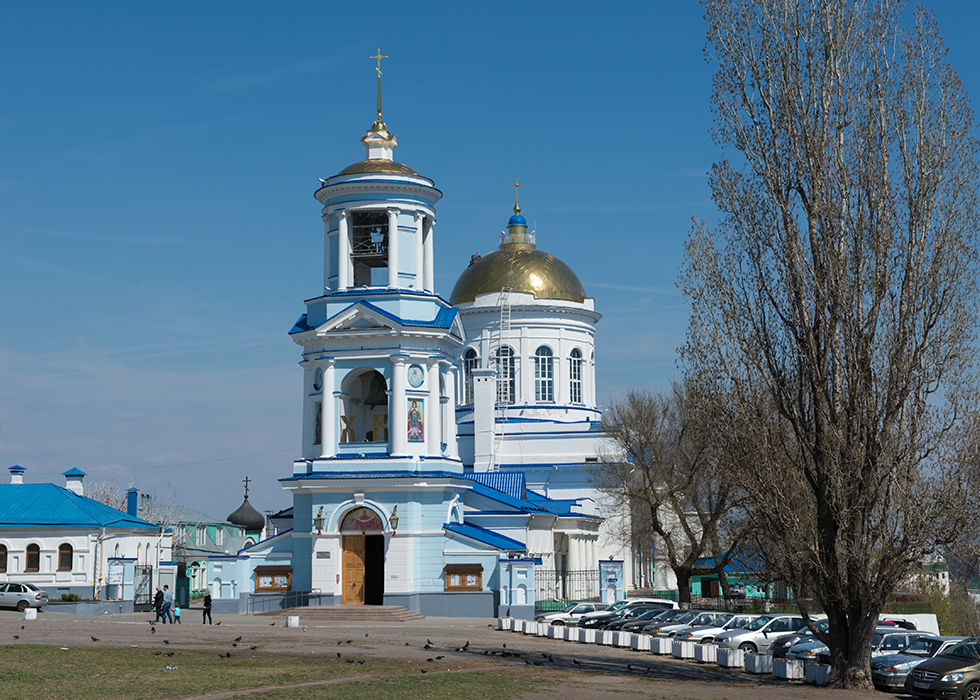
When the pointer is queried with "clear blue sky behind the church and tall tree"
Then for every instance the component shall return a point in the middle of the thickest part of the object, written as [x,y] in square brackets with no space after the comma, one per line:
[158,231]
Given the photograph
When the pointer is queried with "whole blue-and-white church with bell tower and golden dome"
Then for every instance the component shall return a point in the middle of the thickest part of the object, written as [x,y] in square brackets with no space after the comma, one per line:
[446,445]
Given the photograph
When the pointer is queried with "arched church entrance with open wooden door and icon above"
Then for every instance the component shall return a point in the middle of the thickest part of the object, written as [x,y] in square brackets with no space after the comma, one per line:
[362,530]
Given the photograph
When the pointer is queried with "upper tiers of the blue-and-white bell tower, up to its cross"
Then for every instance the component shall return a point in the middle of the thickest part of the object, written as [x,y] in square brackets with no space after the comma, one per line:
[379,345]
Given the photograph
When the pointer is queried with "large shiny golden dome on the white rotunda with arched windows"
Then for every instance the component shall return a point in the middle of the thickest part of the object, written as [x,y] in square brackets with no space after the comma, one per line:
[523,269]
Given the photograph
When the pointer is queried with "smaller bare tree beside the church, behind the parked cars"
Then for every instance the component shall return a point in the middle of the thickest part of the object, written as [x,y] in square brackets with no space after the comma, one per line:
[664,470]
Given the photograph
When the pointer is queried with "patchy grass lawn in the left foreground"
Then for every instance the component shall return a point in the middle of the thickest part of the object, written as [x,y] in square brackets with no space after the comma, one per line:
[34,672]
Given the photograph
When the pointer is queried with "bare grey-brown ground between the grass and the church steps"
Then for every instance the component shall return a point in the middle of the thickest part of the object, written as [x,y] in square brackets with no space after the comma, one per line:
[575,671]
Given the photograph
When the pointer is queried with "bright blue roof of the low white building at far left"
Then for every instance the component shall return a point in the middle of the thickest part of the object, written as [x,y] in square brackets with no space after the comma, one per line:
[47,505]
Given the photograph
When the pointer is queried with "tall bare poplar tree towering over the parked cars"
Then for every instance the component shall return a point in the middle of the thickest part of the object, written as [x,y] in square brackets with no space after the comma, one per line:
[837,298]
